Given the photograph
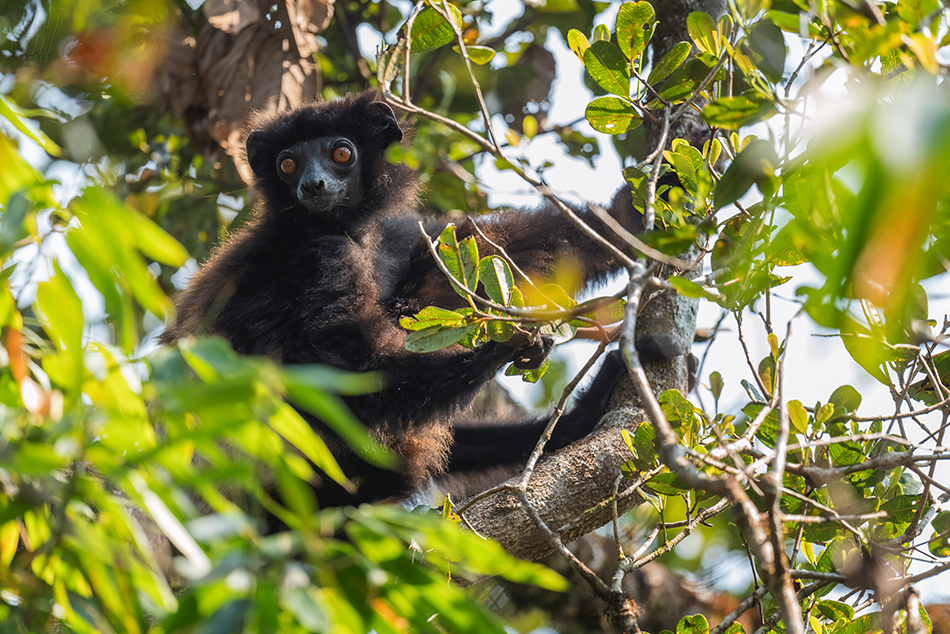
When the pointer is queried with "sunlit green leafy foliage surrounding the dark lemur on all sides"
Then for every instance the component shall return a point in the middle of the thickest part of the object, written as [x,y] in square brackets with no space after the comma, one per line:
[110,450]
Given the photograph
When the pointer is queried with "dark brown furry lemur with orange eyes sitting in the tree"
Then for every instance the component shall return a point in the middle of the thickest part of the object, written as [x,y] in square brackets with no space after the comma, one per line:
[334,257]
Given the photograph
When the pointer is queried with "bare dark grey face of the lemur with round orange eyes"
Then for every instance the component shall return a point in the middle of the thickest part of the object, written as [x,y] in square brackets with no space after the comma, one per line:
[323,174]
